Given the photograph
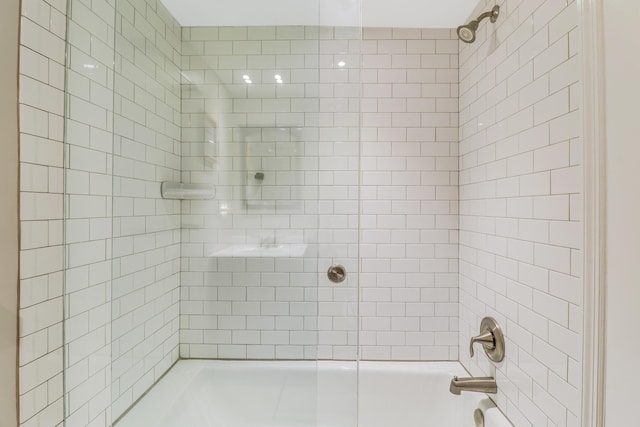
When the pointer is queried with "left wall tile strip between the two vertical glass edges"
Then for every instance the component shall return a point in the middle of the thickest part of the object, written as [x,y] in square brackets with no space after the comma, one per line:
[88,199]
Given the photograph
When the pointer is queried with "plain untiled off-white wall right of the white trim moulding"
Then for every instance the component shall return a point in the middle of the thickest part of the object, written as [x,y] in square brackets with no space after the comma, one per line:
[622,67]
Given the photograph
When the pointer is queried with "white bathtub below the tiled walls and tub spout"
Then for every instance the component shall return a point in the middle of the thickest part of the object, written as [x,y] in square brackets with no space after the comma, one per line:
[203,393]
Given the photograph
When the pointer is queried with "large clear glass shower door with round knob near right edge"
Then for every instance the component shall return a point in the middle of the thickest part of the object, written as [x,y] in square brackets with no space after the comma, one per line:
[255,130]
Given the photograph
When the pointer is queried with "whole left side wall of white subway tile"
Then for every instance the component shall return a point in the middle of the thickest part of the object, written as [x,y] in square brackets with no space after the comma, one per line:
[147,239]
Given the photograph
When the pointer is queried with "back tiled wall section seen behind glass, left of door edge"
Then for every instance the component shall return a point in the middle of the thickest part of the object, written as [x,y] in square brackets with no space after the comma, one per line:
[302,135]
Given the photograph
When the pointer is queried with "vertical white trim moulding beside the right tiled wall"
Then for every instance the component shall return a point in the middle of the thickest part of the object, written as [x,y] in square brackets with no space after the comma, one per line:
[594,186]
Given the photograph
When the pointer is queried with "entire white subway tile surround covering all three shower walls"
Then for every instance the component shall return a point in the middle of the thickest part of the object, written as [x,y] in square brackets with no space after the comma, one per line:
[363,131]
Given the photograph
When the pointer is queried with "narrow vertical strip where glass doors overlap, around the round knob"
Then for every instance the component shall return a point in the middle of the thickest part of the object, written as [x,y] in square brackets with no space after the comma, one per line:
[339,194]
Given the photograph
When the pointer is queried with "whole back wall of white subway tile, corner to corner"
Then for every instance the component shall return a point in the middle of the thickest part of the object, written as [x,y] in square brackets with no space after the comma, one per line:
[251,307]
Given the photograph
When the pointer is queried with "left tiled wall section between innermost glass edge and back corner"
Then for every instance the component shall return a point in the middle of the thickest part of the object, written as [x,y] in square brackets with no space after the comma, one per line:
[146,228]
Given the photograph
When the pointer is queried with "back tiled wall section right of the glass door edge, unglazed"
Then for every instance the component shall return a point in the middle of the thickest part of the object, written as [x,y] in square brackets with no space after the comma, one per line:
[409,195]
